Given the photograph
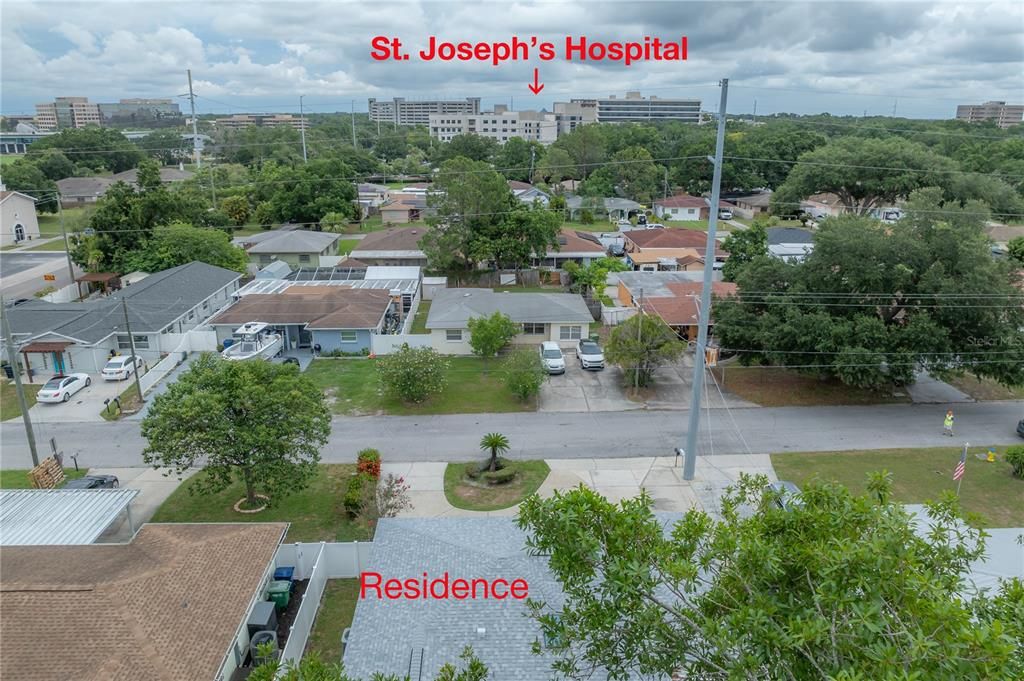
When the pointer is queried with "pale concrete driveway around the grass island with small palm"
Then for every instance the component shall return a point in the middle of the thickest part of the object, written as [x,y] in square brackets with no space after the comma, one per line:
[615,479]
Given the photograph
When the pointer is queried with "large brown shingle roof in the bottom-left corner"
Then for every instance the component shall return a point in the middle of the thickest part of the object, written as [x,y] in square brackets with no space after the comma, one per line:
[166,607]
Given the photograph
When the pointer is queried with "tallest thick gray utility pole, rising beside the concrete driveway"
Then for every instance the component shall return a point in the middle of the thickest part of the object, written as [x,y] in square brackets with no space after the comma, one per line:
[691,453]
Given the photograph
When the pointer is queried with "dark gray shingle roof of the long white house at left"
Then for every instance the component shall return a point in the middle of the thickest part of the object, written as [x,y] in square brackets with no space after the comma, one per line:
[153,304]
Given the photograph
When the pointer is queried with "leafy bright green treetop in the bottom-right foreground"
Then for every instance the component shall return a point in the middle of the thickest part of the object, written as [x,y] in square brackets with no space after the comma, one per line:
[834,586]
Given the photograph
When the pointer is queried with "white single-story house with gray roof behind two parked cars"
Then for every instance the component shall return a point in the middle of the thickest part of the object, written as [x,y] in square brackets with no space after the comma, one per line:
[563,318]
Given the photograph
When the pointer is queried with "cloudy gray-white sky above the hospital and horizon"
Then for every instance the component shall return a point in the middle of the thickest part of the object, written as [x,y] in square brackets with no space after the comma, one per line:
[847,58]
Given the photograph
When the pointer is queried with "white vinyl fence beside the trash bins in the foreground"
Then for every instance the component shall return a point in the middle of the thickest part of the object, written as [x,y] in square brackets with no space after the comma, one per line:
[317,563]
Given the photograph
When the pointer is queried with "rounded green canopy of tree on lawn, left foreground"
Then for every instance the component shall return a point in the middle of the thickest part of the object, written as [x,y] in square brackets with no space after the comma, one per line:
[259,422]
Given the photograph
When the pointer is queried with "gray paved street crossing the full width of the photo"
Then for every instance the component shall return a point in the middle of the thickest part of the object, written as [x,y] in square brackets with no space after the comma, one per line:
[539,436]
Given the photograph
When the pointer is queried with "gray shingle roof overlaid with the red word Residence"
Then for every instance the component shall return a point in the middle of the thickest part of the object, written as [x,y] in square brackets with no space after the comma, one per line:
[387,632]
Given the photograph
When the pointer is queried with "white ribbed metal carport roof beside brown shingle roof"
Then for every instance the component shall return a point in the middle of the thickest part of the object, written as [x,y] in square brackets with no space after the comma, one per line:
[47,518]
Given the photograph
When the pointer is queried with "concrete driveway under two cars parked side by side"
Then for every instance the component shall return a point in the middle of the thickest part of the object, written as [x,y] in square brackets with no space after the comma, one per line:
[580,391]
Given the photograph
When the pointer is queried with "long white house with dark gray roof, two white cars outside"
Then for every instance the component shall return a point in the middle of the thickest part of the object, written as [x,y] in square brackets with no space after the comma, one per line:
[81,336]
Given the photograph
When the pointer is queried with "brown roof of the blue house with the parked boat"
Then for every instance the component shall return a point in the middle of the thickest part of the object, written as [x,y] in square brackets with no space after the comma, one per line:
[317,307]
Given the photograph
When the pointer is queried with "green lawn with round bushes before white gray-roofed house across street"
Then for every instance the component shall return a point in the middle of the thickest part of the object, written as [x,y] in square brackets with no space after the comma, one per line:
[353,389]
